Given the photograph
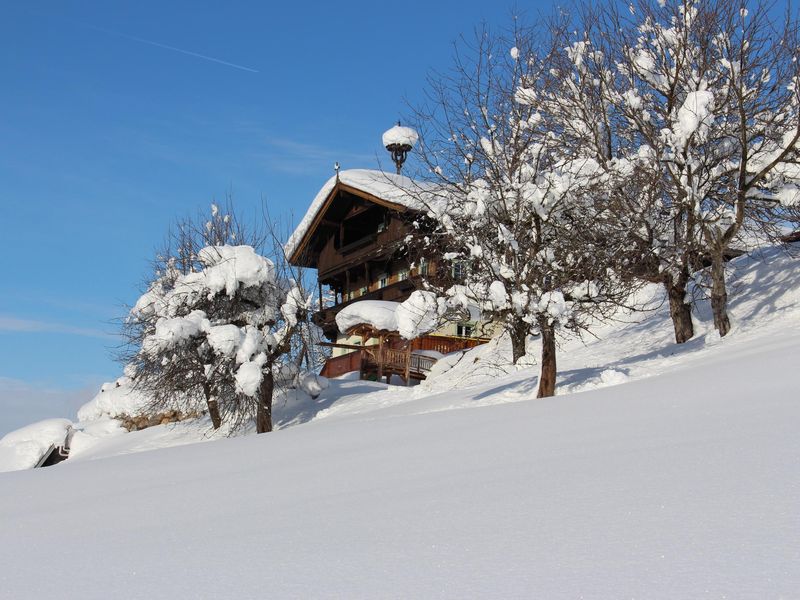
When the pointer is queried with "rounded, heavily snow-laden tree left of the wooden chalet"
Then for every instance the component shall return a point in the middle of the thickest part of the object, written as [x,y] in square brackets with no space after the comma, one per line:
[217,329]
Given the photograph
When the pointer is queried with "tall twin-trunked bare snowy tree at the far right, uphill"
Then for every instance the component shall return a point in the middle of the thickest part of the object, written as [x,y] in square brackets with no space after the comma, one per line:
[696,127]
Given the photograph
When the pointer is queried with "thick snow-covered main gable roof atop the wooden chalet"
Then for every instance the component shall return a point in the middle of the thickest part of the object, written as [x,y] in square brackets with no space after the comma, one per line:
[389,187]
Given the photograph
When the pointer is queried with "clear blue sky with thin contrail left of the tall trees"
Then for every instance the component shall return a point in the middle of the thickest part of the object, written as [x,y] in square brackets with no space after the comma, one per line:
[118,118]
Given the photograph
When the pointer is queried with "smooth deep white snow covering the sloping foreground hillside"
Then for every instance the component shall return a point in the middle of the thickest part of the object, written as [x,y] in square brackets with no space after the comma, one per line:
[681,483]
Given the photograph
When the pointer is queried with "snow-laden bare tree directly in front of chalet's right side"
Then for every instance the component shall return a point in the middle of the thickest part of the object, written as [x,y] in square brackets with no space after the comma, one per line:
[506,204]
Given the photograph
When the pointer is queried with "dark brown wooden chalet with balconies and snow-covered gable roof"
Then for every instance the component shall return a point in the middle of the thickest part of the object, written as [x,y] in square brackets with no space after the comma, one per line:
[353,236]
